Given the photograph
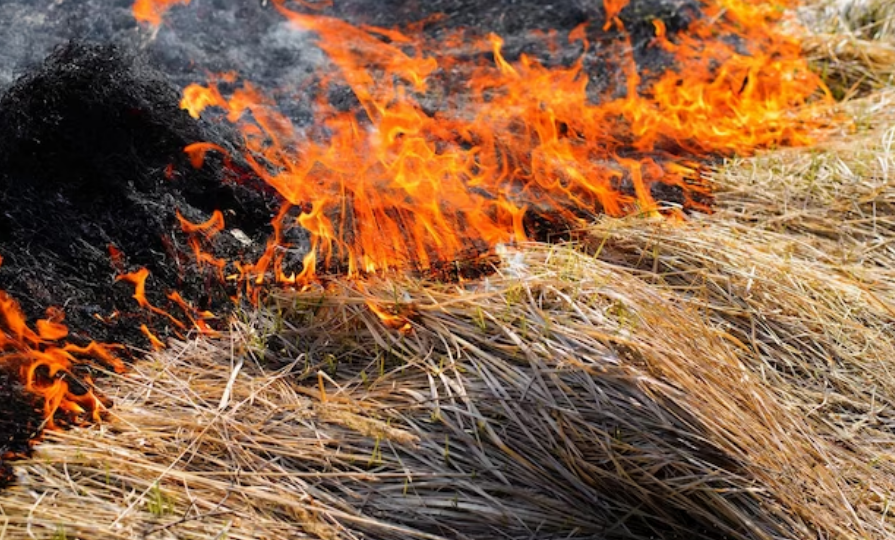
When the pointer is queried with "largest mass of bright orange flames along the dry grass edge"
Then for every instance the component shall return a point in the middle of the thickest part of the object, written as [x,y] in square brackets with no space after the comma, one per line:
[515,141]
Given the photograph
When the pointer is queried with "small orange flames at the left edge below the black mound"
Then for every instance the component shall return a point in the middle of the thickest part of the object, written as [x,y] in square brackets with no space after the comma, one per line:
[50,368]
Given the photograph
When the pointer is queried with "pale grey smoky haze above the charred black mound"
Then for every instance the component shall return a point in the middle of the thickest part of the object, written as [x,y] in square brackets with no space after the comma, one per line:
[206,36]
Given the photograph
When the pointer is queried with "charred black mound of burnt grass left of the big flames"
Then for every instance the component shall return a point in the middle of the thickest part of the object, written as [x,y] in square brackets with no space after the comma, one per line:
[92,161]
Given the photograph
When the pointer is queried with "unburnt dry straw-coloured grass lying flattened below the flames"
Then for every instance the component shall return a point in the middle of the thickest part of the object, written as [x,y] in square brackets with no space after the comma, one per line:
[726,377]
